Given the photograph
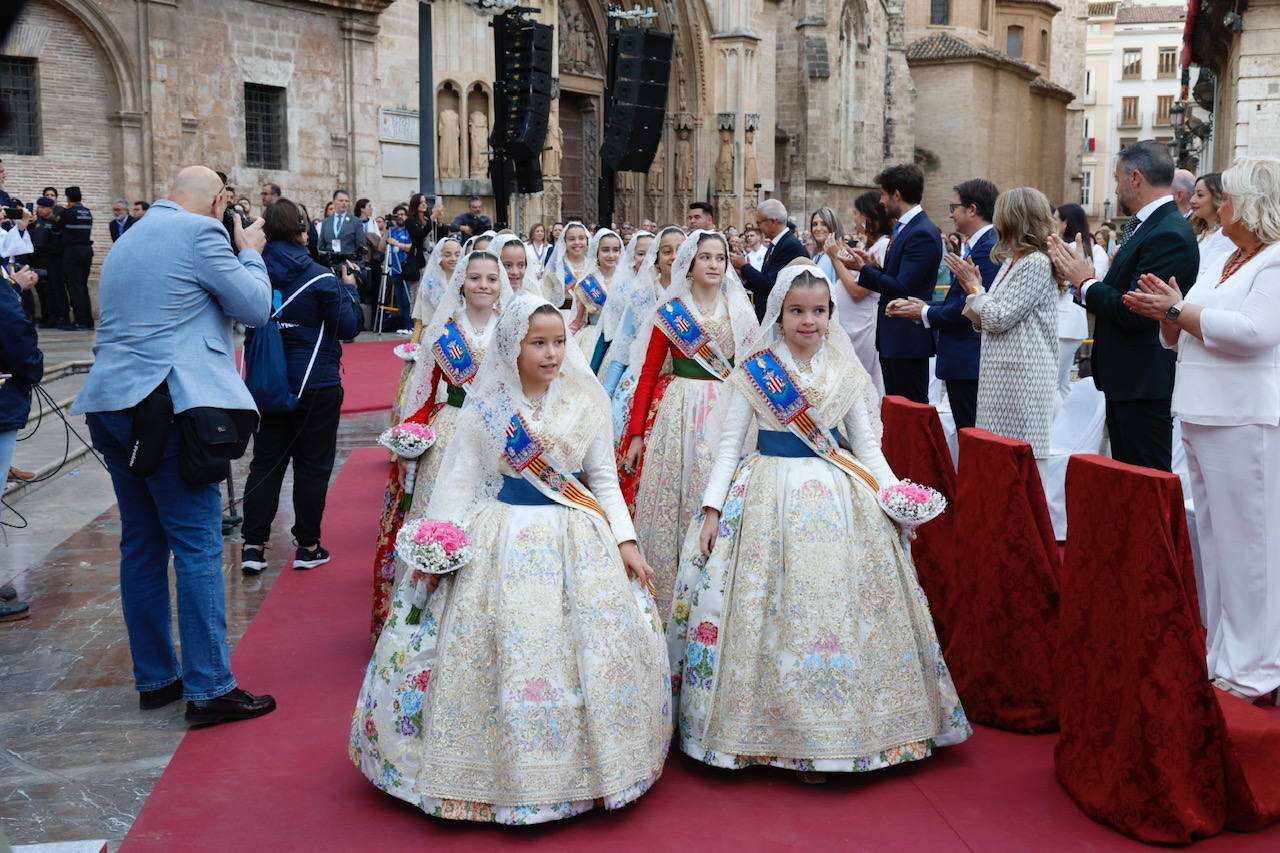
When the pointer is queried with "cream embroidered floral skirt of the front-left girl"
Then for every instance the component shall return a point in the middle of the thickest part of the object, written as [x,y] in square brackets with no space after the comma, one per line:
[536,687]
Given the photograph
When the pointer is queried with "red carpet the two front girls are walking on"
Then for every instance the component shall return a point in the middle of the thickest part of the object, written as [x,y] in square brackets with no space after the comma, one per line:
[284,783]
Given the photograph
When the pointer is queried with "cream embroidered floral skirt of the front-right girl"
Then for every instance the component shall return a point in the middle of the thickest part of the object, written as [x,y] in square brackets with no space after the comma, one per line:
[806,642]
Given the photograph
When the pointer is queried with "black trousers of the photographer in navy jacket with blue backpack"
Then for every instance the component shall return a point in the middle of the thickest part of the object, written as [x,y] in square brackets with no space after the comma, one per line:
[308,437]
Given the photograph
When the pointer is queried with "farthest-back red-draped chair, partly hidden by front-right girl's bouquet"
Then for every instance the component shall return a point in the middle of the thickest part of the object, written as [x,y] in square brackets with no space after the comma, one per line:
[917,450]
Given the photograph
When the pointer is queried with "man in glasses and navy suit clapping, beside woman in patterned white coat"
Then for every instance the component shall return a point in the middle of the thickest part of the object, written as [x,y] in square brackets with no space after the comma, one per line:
[959,345]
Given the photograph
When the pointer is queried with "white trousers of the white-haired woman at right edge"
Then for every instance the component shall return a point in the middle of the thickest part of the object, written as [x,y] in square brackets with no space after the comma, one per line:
[1236,485]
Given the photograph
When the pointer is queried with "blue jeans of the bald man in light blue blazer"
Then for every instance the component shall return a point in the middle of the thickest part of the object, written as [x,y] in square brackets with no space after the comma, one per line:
[161,516]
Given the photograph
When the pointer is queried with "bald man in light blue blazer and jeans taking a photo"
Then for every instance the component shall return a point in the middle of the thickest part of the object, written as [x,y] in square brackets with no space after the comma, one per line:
[168,297]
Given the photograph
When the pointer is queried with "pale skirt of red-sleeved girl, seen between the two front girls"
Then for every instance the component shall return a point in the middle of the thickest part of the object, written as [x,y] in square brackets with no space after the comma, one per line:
[678,464]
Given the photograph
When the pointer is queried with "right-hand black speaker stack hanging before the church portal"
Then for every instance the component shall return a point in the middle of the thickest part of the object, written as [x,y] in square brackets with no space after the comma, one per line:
[642,66]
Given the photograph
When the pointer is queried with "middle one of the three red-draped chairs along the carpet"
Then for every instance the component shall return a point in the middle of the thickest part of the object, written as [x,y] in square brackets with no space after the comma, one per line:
[1004,630]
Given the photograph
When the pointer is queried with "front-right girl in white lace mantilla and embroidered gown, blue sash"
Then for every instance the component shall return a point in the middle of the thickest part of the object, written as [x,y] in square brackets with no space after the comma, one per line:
[804,641]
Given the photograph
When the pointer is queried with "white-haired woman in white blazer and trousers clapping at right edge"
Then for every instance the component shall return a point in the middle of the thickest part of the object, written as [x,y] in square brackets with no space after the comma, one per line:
[1227,332]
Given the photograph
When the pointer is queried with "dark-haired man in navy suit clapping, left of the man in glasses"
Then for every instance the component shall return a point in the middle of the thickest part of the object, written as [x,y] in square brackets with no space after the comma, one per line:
[911,270]
